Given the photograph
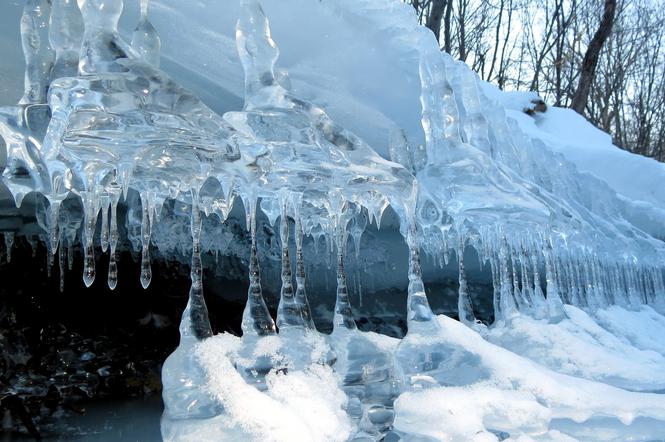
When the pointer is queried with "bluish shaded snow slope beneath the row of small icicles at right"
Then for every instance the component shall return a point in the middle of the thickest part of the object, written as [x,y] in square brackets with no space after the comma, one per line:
[578,346]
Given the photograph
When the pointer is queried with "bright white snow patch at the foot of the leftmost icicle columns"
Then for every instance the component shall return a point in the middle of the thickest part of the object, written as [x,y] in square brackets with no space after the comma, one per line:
[299,406]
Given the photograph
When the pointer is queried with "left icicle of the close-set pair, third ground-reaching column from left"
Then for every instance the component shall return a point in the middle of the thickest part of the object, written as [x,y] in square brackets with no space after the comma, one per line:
[288,314]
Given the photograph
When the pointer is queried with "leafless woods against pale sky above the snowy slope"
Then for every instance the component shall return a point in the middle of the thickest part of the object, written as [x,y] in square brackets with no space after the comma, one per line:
[616,77]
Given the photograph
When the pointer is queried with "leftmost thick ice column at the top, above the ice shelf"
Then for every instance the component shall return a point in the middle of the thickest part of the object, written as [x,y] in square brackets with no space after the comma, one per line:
[38,53]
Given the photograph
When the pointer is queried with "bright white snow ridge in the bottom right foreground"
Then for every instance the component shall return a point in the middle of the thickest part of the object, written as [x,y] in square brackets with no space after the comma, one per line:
[520,392]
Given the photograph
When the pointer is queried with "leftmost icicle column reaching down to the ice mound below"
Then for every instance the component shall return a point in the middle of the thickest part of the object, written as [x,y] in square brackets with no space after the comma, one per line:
[195,322]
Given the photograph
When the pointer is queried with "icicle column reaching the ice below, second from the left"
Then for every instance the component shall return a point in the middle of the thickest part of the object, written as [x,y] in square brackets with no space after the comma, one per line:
[255,318]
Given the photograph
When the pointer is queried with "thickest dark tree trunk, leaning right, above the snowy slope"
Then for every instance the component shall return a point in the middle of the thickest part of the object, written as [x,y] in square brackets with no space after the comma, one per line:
[591,57]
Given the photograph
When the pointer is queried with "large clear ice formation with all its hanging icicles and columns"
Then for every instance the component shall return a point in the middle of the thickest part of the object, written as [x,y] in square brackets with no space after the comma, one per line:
[100,121]
